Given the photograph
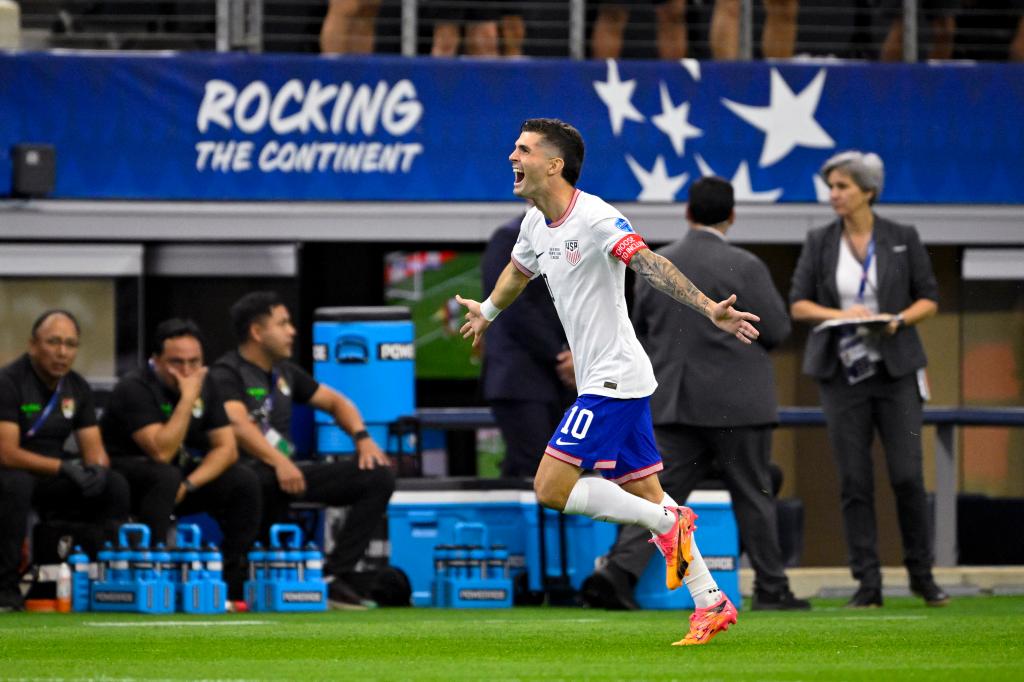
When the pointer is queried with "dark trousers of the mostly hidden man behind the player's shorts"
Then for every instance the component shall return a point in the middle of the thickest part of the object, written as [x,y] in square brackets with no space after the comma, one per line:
[527,427]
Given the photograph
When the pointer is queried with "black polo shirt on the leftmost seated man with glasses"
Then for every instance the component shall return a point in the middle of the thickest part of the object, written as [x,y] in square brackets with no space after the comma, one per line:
[24,398]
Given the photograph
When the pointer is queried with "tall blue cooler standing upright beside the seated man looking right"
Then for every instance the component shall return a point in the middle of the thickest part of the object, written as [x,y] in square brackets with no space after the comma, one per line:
[368,354]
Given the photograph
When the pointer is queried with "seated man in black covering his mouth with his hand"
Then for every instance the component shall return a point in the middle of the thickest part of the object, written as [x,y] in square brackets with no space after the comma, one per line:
[167,433]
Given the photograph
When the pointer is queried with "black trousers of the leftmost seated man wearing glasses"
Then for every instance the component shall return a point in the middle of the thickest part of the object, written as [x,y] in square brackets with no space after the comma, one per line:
[53,498]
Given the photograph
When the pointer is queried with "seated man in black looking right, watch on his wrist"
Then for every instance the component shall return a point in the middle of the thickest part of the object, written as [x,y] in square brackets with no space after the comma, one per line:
[260,385]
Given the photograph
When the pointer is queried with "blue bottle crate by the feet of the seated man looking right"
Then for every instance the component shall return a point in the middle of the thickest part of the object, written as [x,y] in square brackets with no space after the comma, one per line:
[285,577]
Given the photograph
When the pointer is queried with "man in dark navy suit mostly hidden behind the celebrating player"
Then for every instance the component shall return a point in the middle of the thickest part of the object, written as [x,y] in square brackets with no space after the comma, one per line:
[528,368]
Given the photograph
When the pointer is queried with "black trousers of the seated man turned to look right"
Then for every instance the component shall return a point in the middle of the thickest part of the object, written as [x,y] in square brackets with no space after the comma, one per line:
[342,484]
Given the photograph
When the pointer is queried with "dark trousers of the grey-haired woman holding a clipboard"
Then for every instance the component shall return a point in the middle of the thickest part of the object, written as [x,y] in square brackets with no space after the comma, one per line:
[893,408]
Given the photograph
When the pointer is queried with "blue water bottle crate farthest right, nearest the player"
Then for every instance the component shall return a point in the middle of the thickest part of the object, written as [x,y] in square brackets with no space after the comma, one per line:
[473,574]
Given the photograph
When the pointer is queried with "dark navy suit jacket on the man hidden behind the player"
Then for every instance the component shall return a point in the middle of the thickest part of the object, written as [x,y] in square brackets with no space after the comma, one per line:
[522,346]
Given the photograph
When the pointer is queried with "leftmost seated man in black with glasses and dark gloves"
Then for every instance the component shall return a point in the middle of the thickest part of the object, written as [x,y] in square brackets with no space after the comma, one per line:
[42,402]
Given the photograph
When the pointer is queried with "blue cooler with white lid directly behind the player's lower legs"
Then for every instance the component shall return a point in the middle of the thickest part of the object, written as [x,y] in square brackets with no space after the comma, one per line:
[719,543]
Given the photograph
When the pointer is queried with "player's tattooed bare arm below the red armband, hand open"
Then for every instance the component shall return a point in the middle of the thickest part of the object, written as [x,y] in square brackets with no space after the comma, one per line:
[665,277]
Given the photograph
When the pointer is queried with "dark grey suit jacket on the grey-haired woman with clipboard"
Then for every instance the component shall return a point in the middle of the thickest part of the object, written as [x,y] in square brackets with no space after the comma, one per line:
[905,274]
